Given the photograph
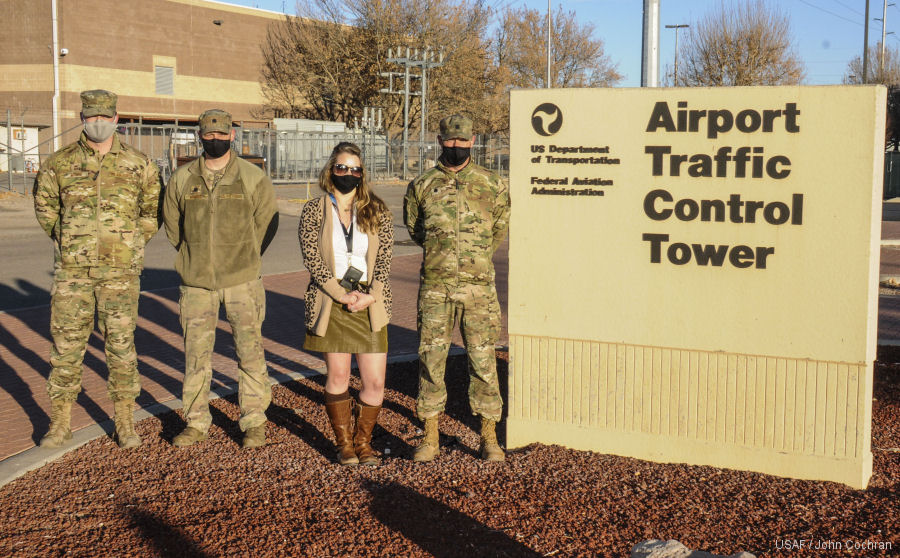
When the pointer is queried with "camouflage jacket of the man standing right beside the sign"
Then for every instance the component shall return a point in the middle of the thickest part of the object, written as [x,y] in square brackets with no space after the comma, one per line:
[459,218]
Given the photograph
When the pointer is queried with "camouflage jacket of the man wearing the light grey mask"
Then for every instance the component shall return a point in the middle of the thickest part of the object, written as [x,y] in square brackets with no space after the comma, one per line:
[99,210]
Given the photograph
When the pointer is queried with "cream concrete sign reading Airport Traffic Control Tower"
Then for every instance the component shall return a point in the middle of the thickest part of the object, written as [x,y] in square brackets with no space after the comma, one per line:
[694,274]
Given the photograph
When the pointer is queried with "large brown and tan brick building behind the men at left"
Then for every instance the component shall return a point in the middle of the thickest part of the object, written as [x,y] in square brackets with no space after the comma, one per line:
[168,60]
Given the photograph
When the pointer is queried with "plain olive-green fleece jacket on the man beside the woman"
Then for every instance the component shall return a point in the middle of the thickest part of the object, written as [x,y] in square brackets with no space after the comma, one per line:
[219,227]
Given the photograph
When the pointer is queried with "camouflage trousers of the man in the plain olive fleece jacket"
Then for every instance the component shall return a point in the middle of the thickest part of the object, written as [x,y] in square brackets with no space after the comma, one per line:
[245,309]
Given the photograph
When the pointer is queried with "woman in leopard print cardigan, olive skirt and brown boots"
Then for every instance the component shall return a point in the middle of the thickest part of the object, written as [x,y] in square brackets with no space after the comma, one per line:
[348,228]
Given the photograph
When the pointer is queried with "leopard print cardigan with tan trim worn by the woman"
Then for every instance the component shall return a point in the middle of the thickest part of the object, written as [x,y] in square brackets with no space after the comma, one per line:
[322,283]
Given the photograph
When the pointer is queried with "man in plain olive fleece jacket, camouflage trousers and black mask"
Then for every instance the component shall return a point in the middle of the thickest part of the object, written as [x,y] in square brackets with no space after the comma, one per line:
[220,215]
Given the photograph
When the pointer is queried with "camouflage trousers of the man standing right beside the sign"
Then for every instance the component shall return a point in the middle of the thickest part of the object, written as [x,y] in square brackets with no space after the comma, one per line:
[477,310]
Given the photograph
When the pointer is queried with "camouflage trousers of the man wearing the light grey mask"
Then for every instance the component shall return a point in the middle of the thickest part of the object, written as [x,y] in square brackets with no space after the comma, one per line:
[75,295]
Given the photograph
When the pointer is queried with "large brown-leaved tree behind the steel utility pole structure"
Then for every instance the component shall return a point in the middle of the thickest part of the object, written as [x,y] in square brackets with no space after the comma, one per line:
[326,62]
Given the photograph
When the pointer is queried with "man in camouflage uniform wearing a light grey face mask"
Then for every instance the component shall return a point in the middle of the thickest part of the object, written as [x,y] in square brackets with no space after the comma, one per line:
[97,199]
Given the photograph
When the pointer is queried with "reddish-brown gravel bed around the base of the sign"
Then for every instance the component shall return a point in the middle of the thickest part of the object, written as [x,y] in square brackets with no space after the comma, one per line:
[290,499]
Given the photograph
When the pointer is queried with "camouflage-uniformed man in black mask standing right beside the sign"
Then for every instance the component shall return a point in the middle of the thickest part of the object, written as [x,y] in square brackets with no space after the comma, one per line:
[458,212]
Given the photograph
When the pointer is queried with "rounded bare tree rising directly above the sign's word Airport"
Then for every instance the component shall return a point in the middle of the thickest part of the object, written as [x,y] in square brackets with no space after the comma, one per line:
[744,42]
